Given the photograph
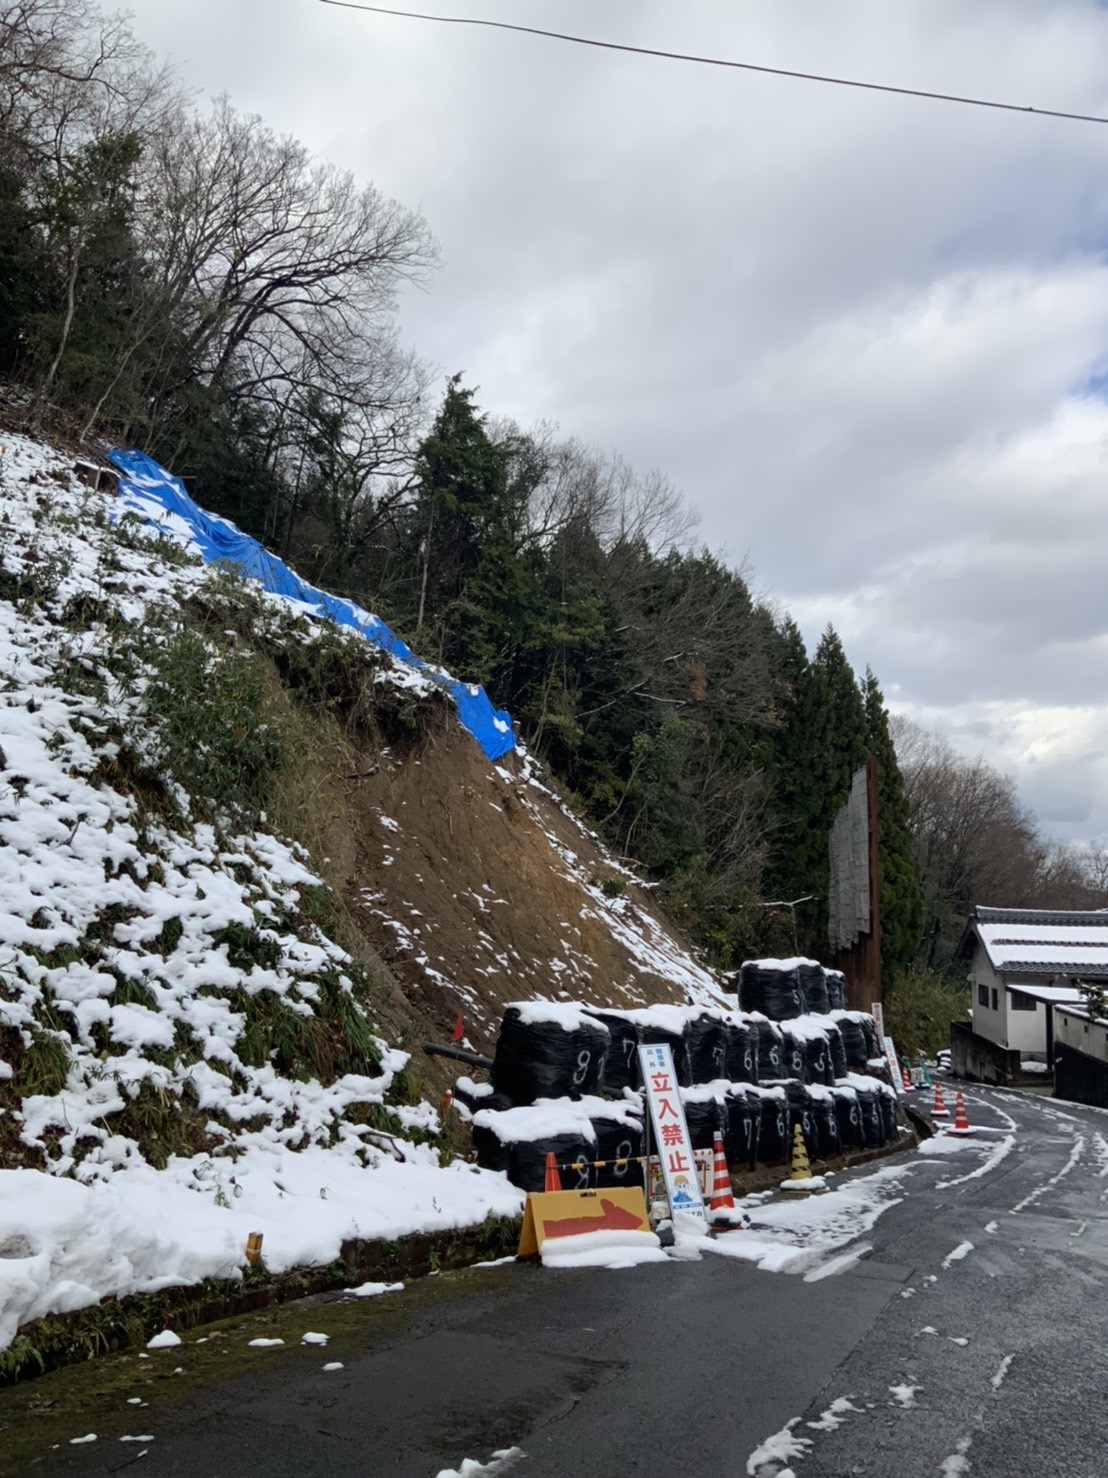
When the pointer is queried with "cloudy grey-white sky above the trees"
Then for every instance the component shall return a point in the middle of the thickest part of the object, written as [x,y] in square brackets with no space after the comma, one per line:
[866,336]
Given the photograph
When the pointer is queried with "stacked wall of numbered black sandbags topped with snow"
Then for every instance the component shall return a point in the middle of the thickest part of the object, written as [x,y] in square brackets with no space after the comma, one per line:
[791,1056]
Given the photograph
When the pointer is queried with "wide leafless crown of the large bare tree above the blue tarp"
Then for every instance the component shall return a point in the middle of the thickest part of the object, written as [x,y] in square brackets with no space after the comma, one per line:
[283,268]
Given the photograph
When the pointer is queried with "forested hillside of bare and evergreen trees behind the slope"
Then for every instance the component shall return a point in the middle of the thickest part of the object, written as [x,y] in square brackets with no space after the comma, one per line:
[179,279]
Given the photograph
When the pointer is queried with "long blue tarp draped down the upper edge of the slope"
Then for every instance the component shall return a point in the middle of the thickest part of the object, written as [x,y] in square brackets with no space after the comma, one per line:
[160,499]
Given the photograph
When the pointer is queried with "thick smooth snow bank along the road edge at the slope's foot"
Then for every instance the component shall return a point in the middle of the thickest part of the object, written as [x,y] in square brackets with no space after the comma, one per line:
[144,1230]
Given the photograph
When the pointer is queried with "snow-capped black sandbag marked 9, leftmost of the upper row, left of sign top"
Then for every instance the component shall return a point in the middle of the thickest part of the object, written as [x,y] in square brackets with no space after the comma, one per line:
[549,1052]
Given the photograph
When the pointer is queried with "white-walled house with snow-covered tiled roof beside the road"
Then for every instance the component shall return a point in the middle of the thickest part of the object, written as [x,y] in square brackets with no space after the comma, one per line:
[1025,963]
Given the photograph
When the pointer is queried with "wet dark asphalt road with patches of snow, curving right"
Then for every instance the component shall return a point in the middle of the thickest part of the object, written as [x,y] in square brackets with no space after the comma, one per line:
[968,1338]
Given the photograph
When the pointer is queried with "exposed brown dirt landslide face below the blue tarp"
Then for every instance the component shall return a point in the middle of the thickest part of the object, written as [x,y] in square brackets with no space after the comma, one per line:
[476,888]
